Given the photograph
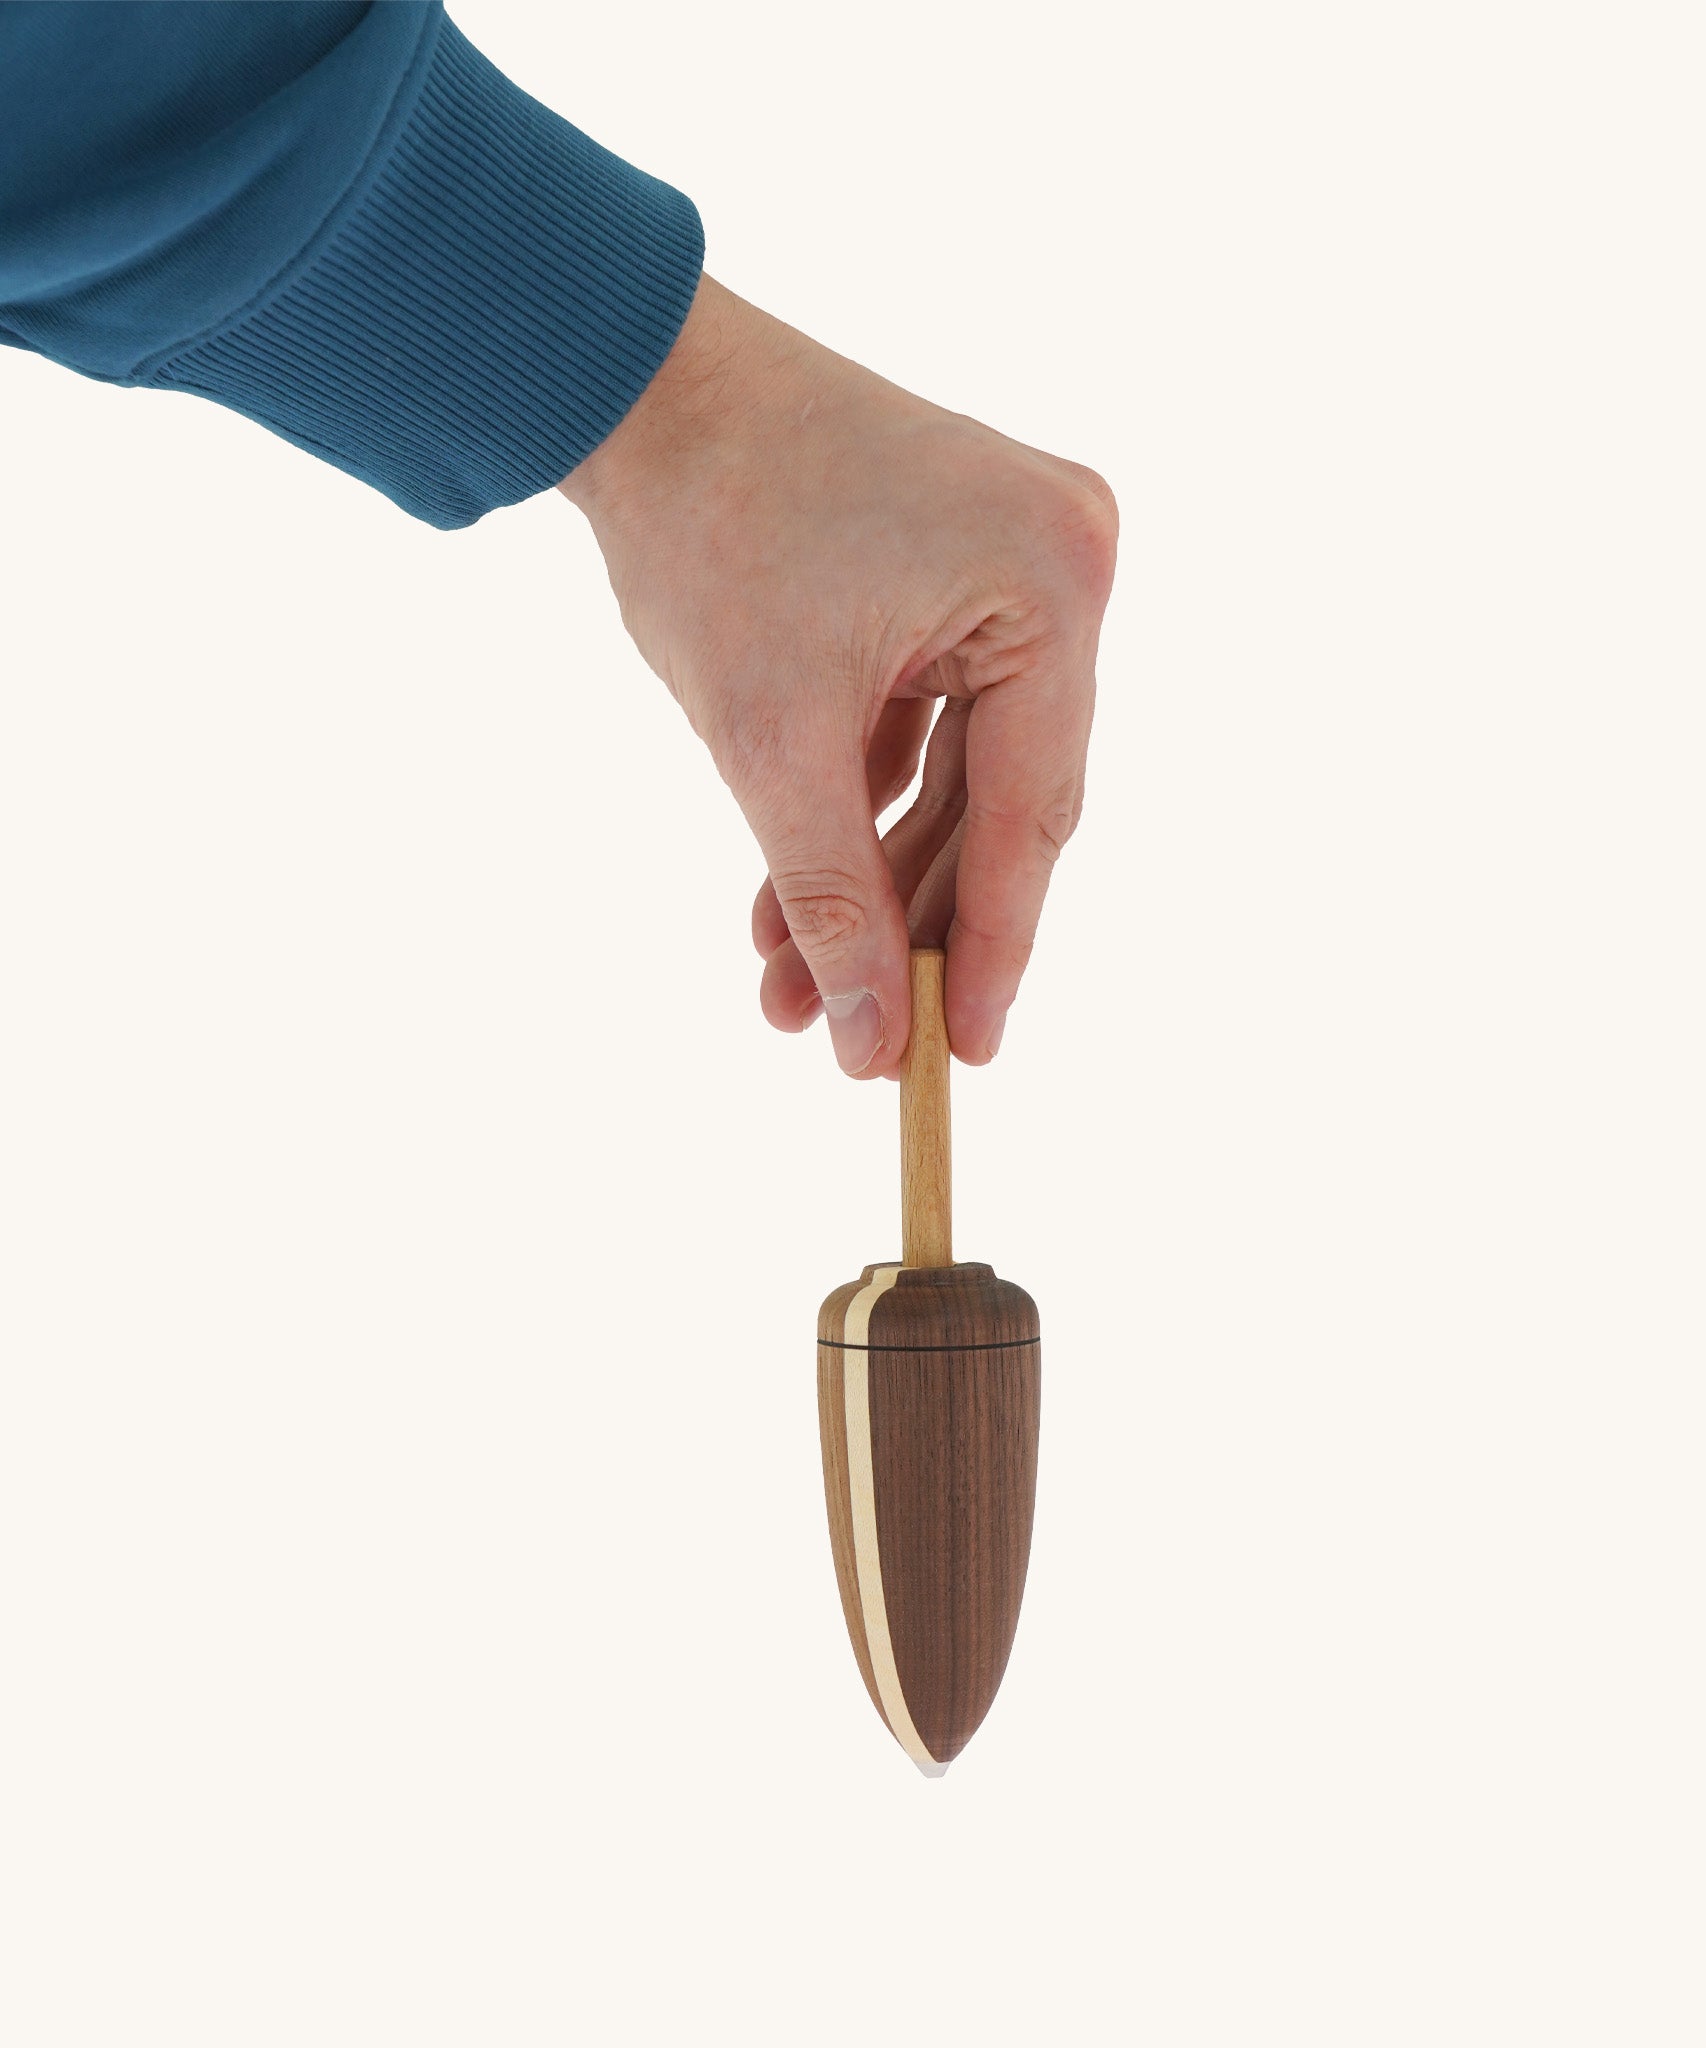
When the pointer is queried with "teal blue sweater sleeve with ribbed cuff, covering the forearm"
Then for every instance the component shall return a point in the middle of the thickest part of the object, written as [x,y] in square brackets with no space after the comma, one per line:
[341,222]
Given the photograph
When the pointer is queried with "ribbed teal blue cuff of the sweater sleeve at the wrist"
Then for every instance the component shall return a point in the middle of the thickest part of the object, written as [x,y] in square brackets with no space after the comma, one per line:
[480,312]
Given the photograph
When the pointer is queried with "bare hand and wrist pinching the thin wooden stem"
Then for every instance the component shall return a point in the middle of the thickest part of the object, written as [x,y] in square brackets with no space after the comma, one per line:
[812,558]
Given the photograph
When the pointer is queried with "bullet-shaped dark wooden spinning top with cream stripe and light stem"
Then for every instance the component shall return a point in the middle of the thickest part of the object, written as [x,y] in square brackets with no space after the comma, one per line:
[929,1381]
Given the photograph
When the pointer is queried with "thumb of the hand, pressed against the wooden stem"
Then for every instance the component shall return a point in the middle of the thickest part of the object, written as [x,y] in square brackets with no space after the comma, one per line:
[839,898]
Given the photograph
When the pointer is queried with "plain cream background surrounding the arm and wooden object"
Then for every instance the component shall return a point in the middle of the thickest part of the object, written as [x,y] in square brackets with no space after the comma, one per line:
[415,1627]
